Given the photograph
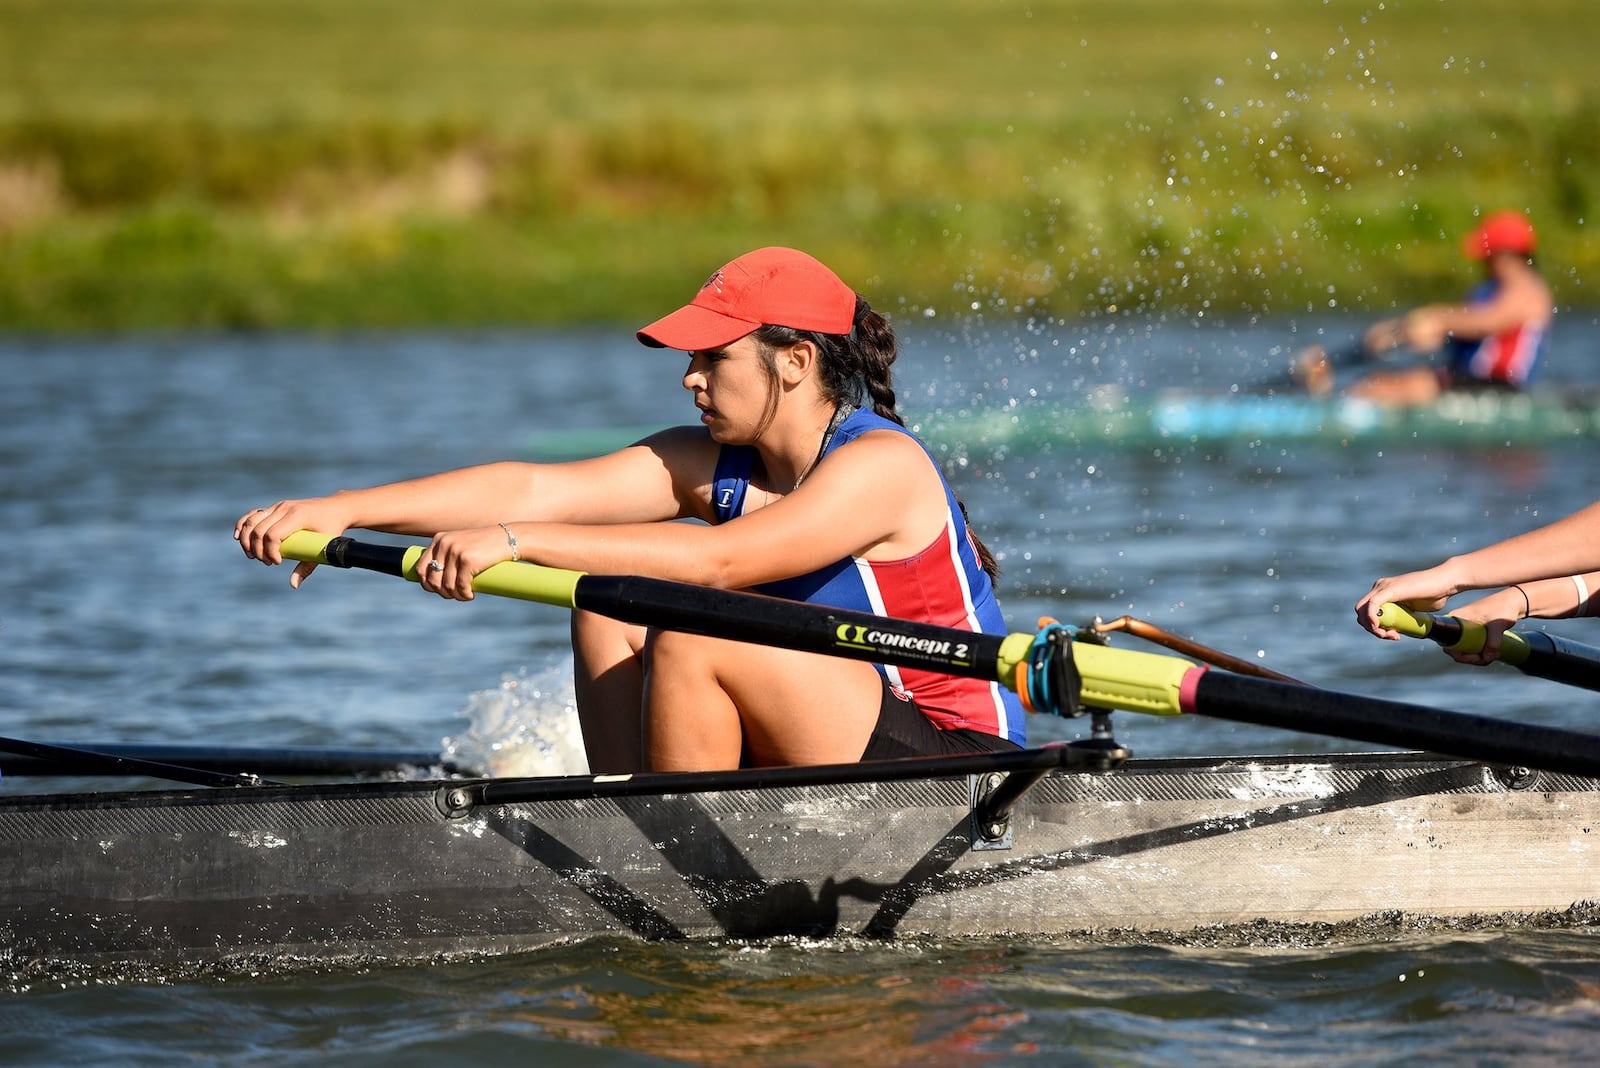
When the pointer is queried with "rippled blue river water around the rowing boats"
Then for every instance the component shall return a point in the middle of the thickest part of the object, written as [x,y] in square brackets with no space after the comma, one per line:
[130,616]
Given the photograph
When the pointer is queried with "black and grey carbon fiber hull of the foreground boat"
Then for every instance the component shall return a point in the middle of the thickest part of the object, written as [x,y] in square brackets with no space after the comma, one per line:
[470,867]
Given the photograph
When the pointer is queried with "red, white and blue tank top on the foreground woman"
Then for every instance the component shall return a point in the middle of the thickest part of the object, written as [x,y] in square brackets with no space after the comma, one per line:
[943,584]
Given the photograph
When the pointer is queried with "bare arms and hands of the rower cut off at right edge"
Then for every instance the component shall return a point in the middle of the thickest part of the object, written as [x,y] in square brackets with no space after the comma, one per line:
[1551,573]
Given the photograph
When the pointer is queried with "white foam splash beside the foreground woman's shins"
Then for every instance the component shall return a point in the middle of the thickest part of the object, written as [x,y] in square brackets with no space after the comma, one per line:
[526,727]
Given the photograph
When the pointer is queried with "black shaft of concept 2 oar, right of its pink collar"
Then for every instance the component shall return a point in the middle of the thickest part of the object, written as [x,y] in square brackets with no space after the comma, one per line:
[1273,704]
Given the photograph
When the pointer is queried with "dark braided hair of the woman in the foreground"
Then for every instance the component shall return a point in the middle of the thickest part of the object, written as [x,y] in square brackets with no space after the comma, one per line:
[855,369]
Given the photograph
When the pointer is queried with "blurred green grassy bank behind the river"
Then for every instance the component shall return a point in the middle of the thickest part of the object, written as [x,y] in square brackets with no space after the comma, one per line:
[254,164]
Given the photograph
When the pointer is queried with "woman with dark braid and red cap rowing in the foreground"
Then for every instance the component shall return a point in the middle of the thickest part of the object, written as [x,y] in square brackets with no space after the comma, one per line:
[809,487]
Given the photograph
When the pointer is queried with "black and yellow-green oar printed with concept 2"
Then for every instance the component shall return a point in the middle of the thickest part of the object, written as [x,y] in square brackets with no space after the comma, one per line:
[1108,679]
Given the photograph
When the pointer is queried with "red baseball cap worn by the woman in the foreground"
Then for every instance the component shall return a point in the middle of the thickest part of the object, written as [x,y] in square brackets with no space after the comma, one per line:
[777,287]
